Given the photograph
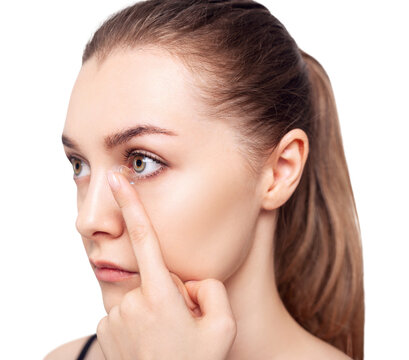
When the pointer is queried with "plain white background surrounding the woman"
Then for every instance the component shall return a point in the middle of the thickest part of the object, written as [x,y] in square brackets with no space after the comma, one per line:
[49,294]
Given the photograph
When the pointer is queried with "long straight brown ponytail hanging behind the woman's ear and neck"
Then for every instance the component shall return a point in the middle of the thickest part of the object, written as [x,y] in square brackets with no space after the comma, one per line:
[318,254]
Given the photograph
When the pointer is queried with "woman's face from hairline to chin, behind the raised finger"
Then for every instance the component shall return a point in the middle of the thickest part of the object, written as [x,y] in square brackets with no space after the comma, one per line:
[201,201]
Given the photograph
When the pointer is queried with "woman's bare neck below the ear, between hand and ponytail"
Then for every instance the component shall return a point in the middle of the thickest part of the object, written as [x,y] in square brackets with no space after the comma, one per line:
[265,329]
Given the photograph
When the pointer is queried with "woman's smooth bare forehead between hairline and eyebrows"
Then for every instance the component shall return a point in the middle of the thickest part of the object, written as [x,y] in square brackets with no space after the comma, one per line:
[134,87]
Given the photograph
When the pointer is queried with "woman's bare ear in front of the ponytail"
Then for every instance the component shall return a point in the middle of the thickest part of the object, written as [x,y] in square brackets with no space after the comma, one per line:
[284,168]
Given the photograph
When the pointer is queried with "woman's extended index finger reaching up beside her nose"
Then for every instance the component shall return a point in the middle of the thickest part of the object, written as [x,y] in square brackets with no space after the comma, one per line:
[143,237]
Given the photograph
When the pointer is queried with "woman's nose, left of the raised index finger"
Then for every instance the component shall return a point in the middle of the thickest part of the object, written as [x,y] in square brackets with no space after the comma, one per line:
[98,213]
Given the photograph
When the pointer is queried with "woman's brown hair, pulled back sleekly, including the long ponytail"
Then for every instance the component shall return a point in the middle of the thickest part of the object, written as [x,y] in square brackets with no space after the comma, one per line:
[256,74]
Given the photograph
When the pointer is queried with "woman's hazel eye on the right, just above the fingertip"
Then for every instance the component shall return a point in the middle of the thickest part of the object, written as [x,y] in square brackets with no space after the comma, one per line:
[142,162]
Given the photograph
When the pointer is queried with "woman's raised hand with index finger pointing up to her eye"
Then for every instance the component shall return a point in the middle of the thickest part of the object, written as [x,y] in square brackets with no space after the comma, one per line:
[163,318]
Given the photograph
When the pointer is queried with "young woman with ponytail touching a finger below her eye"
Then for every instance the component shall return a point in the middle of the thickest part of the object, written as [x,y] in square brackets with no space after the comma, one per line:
[214,200]
